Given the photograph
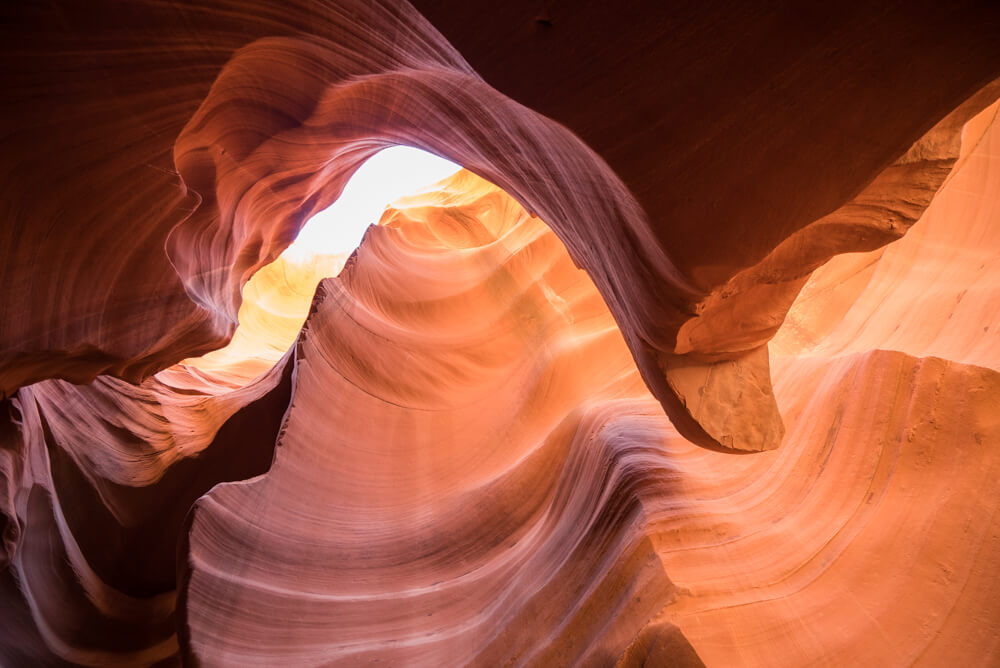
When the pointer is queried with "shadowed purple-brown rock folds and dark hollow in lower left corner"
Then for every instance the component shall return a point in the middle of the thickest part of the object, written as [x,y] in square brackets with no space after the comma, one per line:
[97,482]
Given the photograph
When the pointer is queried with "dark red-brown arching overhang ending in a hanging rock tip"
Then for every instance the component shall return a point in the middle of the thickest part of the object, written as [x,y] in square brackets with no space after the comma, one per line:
[233,161]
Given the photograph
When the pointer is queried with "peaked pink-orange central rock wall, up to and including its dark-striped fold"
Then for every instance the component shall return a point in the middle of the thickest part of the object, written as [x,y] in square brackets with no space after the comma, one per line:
[417,481]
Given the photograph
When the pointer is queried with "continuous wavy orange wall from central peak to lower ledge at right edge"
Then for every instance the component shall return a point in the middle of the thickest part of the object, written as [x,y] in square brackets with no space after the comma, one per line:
[879,440]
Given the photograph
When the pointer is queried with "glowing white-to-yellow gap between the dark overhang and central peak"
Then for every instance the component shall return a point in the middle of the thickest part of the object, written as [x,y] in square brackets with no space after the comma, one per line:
[276,299]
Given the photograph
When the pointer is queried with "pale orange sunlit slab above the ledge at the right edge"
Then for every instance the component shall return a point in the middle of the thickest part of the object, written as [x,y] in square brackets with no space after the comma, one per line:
[929,294]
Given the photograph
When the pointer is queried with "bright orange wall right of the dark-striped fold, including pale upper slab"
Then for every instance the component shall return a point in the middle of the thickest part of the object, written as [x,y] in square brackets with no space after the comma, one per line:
[872,537]
